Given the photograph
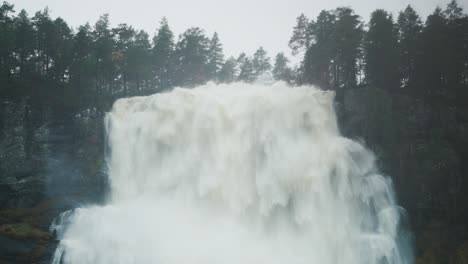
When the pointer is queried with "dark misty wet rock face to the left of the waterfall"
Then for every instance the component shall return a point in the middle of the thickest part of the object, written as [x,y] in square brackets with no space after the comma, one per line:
[48,164]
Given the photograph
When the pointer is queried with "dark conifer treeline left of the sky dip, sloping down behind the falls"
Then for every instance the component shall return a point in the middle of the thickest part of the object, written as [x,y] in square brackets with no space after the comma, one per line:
[46,62]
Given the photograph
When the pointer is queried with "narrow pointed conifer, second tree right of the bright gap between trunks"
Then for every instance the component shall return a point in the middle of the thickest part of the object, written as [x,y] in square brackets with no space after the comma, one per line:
[409,36]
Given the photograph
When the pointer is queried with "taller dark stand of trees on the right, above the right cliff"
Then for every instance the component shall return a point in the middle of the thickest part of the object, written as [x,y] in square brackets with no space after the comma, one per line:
[426,60]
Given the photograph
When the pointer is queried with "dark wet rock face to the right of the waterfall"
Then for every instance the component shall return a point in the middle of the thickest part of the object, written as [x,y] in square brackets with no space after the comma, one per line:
[424,147]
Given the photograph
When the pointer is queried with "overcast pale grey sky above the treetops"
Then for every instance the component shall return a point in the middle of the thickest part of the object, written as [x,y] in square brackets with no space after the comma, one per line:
[243,25]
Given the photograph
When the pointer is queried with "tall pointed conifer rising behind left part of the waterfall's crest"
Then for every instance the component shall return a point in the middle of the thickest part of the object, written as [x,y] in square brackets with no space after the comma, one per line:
[163,49]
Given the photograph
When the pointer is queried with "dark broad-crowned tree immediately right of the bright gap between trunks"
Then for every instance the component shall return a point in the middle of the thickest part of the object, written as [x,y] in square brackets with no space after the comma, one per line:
[381,51]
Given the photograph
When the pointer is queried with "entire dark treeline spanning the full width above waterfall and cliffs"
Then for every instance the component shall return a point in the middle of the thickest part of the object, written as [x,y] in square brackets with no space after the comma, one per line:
[46,62]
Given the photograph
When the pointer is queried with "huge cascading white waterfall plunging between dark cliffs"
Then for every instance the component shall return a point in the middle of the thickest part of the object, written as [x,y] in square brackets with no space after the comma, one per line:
[241,174]
